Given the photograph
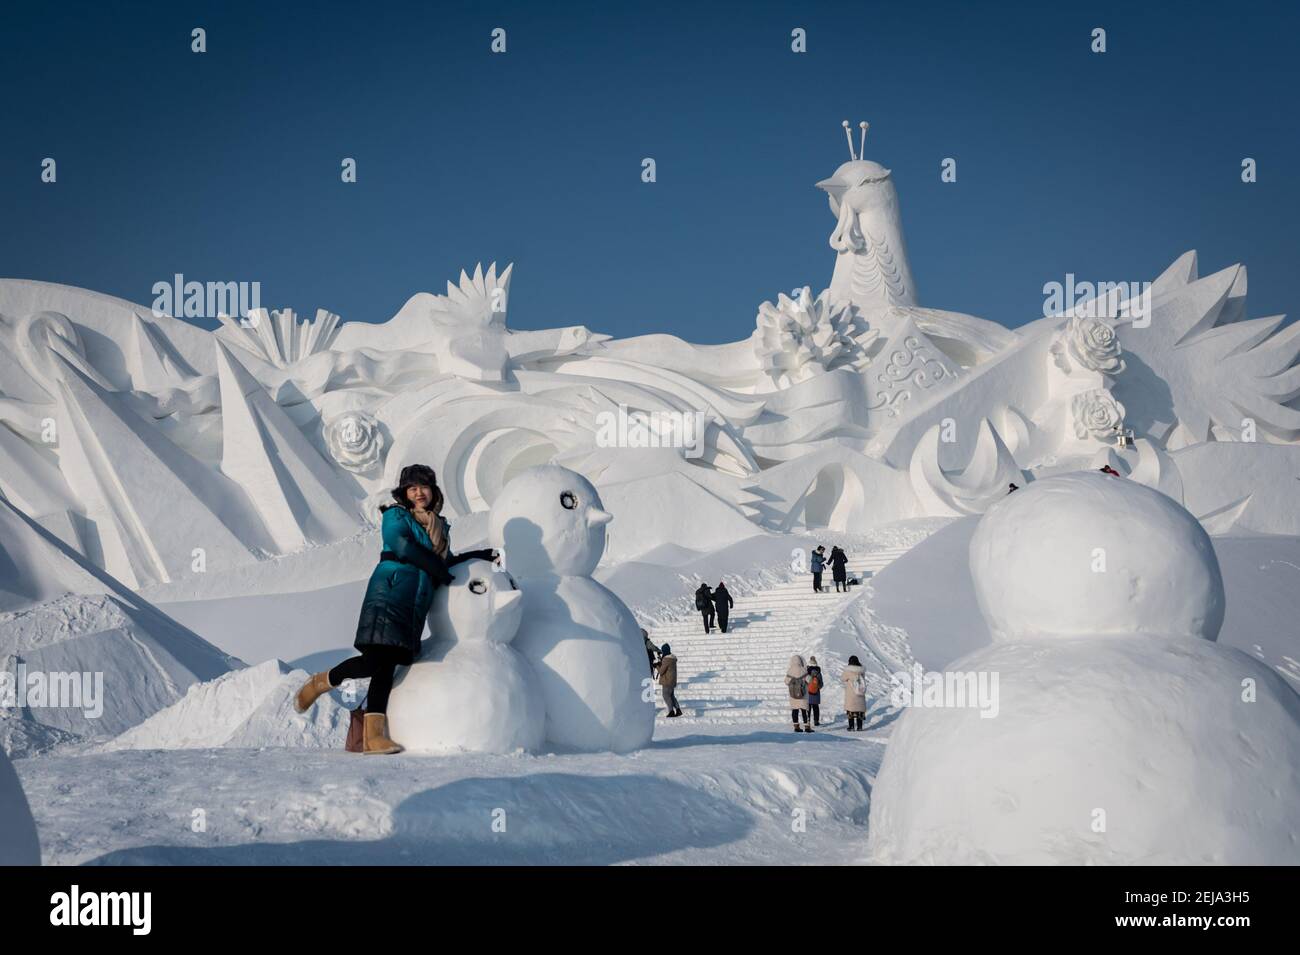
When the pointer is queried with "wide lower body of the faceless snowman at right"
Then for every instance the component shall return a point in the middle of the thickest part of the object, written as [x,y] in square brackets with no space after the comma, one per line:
[1104,750]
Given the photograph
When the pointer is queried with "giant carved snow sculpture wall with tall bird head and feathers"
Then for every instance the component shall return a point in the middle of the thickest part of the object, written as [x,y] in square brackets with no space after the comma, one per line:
[132,436]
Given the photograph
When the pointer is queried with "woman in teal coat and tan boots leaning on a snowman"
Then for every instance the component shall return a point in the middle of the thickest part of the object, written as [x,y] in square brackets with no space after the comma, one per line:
[414,565]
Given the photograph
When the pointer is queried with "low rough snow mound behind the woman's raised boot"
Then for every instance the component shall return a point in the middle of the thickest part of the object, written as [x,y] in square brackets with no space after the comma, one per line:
[249,709]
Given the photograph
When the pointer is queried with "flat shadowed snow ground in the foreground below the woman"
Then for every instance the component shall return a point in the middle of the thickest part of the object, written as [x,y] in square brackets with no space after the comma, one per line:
[700,795]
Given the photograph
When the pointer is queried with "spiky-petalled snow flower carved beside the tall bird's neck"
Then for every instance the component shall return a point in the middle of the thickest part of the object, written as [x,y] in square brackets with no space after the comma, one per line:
[800,338]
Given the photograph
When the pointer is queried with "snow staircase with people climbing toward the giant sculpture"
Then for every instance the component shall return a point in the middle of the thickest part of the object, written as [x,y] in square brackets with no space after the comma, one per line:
[740,675]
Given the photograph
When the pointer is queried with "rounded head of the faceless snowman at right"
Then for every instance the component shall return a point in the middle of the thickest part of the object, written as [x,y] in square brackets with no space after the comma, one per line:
[1095,554]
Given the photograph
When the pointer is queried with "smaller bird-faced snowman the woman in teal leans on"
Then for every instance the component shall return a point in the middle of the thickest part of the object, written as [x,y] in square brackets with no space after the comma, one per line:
[470,691]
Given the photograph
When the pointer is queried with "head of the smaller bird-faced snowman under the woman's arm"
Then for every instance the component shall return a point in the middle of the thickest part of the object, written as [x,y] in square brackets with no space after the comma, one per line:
[482,605]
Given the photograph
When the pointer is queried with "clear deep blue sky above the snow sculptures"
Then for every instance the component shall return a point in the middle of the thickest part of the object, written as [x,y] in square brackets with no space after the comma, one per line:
[226,166]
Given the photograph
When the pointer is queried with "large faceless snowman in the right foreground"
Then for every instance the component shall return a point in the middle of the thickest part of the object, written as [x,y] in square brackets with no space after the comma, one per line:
[1123,733]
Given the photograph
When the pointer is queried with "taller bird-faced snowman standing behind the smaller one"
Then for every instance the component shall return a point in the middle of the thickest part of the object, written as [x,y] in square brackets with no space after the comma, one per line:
[583,641]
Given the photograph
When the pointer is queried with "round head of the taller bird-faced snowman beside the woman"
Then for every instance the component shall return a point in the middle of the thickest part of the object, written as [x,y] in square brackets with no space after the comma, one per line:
[549,520]
